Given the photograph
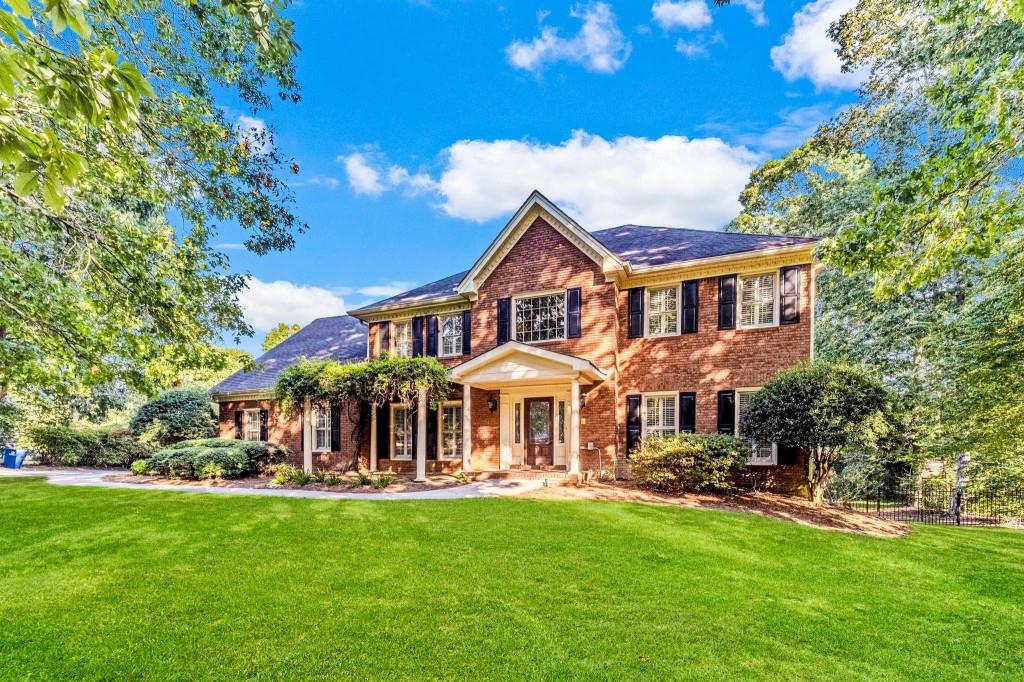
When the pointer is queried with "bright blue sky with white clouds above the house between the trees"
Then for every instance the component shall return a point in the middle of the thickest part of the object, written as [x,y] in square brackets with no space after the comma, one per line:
[425,123]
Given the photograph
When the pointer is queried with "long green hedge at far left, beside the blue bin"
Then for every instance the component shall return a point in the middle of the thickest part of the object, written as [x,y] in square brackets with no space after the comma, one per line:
[61,445]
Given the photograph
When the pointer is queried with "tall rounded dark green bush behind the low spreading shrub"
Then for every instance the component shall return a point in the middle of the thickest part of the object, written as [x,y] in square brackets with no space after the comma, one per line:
[176,416]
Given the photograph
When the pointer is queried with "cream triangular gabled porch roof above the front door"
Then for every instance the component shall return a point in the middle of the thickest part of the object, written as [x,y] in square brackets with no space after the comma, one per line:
[519,364]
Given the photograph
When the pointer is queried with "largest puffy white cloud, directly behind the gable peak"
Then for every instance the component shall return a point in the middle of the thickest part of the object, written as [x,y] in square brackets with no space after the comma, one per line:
[671,181]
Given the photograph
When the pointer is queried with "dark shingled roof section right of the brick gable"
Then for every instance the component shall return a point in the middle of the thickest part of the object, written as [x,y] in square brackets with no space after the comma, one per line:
[644,246]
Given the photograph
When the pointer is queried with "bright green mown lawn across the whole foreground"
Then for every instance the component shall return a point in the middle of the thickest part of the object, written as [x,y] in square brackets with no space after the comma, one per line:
[107,584]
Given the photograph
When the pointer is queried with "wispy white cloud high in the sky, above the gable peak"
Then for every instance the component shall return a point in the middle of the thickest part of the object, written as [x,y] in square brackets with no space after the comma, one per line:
[600,47]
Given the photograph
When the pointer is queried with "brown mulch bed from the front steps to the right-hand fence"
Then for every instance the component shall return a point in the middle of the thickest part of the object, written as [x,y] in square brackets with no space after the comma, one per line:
[796,510]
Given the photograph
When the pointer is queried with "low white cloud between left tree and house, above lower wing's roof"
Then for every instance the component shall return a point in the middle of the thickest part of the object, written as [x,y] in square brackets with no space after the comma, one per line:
[267,304]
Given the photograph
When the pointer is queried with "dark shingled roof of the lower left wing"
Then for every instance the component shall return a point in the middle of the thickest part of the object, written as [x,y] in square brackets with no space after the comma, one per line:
[340,338]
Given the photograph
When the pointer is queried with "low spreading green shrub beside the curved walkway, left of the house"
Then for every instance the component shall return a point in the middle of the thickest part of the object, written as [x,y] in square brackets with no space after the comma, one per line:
[214,458]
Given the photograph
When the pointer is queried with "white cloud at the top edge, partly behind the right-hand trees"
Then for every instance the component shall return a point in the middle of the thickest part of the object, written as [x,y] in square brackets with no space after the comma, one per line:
[807,52]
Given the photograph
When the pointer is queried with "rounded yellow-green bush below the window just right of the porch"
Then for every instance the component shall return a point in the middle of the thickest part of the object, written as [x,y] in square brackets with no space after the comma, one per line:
[689,462]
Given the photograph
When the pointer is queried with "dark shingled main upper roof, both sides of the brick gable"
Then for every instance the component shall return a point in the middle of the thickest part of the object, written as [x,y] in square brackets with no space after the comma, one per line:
[639,245]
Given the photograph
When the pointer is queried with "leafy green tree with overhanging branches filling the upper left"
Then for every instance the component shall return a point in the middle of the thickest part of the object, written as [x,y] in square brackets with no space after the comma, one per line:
[108,126]
